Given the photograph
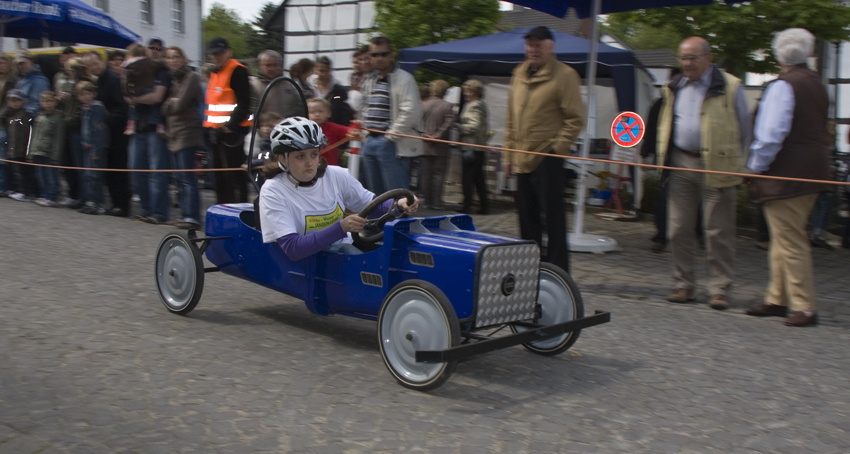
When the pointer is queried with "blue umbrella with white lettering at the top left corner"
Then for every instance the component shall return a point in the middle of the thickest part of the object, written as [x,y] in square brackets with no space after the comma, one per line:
[62,20]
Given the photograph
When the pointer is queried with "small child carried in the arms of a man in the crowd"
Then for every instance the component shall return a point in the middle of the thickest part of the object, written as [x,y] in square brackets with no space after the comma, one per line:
[138,79]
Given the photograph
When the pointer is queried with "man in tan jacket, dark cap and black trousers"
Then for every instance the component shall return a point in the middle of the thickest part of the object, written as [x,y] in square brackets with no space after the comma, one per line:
[545,115]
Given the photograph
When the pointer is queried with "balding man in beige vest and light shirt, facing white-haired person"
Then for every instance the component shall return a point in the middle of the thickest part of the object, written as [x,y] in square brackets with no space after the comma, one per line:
[704,123]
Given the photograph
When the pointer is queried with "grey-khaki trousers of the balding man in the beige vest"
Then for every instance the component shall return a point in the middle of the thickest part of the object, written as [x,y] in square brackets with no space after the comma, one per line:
[687,193]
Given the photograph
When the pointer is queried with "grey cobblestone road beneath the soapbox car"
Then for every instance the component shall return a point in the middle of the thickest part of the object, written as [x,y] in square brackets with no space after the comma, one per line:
[90,362]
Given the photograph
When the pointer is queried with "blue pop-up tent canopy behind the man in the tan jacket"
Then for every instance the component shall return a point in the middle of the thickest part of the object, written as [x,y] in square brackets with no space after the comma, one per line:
[499,53]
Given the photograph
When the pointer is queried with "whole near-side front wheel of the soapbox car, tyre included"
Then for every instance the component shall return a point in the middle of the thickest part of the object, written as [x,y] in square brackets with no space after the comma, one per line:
[416,315]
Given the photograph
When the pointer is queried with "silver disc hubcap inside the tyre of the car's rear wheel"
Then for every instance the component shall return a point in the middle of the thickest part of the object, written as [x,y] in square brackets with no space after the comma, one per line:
[176,273]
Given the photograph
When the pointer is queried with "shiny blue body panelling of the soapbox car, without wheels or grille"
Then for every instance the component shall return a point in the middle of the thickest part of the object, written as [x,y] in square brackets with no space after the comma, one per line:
[441,250]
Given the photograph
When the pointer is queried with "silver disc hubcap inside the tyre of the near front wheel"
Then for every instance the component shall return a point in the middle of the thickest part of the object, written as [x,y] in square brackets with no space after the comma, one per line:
[413,321]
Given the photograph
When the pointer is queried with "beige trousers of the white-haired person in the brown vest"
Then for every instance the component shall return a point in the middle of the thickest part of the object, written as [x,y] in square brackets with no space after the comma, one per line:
[792,280]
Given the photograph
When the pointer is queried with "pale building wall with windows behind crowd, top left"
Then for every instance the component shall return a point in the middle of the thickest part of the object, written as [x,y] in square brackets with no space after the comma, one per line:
[128,13]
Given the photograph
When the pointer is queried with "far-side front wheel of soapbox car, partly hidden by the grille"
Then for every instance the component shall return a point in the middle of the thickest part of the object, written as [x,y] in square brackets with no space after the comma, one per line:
[560,302]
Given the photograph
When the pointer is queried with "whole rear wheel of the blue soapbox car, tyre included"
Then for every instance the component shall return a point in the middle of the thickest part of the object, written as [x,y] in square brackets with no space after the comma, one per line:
[179,273]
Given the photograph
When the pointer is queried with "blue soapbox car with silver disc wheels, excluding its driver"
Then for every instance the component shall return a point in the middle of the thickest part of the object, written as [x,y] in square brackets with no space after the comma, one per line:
[439,290]
